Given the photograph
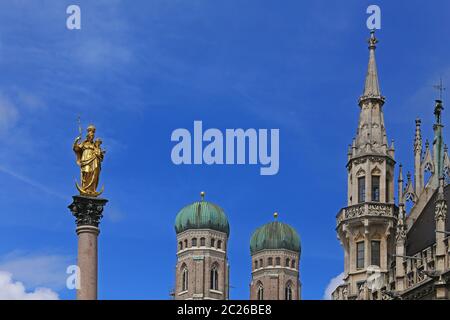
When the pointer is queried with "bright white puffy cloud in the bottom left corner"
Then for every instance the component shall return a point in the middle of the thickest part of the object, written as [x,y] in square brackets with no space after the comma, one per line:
[15,290]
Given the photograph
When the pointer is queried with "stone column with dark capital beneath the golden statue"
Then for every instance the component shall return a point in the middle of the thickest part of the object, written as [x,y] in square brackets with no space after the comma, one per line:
[88,213]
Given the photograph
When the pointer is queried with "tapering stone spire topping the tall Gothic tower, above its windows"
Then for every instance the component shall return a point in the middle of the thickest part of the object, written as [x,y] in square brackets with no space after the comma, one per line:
[371,135]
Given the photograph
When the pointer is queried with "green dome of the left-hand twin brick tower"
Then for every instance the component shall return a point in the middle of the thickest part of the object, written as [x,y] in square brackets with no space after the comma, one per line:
[202,215]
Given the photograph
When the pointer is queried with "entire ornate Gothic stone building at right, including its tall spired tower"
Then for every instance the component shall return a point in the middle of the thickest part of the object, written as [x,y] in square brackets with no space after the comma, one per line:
[411,246]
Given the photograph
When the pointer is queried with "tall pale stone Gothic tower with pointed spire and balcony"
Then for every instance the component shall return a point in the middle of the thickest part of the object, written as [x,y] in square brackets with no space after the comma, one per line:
[366,227]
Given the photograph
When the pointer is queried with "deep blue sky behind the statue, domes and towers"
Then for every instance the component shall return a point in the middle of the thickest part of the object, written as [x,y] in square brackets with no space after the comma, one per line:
[141,69]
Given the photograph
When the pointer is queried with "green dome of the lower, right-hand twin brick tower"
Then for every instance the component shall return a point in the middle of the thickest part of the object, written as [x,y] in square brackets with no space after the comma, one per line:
[275,235]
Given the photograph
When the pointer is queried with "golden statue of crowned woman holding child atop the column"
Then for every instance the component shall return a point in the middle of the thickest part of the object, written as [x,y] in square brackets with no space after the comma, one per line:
[89,158]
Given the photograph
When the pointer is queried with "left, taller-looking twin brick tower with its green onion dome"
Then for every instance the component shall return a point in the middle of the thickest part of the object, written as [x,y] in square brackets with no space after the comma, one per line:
[202,270]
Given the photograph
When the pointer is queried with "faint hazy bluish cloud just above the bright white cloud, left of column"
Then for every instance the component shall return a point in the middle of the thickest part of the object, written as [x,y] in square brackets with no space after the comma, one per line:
[37,270]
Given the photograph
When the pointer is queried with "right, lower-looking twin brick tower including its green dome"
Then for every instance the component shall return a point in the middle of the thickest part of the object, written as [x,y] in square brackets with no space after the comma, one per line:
[275,251]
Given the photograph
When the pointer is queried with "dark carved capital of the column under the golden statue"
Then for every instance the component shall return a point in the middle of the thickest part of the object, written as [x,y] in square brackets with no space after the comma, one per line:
[87,210]
